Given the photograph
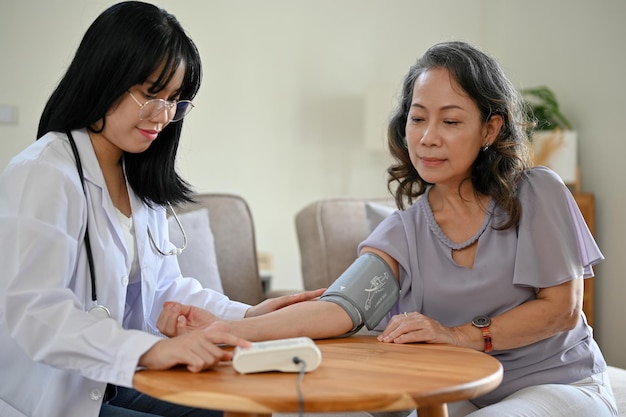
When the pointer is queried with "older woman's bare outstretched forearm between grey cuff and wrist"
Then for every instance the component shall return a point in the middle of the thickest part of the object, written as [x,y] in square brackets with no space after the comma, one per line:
[315,319]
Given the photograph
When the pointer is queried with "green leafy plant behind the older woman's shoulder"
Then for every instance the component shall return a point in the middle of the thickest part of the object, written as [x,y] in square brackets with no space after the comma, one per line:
[543,108]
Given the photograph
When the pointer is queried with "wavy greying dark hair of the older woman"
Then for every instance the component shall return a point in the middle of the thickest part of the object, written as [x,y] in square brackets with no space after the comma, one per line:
[497,170]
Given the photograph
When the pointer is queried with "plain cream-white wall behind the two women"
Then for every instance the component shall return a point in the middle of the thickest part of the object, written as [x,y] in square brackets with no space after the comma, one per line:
[280,115]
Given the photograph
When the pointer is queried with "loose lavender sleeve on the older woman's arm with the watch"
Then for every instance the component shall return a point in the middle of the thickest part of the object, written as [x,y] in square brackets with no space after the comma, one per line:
[554,242]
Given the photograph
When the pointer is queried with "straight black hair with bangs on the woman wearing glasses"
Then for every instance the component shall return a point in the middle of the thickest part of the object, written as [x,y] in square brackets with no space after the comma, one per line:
[125,45]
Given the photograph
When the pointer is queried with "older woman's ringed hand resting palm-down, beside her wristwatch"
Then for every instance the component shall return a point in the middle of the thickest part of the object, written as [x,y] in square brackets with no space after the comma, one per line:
[416,327]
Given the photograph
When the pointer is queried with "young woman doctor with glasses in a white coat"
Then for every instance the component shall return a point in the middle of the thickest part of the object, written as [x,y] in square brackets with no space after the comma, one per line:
[71,340]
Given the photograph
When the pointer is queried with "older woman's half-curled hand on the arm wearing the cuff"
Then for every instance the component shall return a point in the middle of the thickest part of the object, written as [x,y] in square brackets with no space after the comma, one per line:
[177,319]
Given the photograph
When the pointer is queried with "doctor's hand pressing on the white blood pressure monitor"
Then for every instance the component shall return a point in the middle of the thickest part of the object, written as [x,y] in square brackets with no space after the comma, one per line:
[196,350]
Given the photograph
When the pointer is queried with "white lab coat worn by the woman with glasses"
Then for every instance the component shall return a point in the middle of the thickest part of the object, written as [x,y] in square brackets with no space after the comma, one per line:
[55,359]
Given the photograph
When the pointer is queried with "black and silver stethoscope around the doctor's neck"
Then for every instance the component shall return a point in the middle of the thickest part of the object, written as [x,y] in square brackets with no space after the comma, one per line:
[99,310]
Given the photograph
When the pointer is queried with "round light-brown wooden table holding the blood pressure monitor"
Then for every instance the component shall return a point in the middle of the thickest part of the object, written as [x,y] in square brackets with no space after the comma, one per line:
[357,373]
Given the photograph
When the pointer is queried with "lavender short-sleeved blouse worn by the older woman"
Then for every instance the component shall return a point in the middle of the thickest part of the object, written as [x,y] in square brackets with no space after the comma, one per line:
[551,245]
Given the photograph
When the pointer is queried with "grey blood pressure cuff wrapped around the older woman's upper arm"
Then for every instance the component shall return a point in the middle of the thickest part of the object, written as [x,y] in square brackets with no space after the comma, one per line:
[366,291]
